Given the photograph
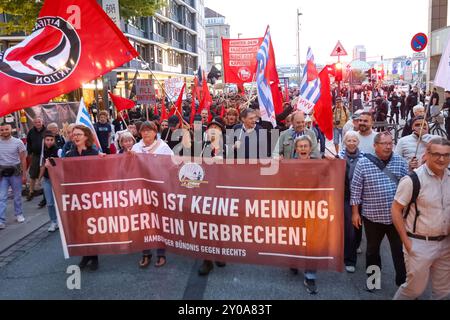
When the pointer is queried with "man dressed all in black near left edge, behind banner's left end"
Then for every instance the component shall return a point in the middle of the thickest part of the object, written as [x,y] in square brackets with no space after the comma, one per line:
[34,149]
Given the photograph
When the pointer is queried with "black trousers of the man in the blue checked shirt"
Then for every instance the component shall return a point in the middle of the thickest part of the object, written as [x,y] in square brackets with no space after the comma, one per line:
[375,233]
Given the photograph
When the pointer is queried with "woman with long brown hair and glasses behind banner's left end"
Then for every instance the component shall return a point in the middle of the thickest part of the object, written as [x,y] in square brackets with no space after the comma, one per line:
[83,146]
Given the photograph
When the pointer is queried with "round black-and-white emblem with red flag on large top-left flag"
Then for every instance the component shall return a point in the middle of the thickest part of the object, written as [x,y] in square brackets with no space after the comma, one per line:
[46,57]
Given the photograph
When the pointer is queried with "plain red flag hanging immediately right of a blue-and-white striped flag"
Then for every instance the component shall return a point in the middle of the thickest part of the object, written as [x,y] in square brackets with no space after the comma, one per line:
[323,112]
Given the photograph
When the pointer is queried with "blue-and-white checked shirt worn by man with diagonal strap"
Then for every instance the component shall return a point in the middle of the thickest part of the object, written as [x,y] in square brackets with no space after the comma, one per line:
[375,190]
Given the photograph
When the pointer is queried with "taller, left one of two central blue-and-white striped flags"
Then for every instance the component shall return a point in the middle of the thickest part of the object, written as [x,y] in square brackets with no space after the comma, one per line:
[265,98]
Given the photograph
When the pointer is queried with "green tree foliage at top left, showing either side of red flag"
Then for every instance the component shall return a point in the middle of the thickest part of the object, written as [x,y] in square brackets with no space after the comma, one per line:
[22,14]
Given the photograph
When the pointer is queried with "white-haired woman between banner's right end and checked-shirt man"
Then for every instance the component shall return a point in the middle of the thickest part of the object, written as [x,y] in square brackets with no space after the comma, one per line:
[352,236]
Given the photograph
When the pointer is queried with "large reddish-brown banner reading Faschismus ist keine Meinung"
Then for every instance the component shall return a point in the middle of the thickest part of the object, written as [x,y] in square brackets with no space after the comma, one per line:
[232,213]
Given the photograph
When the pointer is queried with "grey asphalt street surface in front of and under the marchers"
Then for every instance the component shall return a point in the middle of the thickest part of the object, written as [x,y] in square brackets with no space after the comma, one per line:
[34,268]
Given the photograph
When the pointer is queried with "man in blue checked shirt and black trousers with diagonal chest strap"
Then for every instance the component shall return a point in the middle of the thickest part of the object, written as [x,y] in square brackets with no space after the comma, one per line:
[374,185]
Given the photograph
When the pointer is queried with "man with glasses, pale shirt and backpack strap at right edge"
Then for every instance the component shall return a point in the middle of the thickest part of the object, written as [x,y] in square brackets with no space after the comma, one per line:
[425,231]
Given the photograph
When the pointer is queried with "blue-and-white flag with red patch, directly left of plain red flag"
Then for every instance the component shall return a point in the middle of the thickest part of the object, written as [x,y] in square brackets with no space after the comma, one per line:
[310,86]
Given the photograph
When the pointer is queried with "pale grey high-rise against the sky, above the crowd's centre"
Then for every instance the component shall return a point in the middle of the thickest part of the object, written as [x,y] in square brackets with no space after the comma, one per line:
[216,29]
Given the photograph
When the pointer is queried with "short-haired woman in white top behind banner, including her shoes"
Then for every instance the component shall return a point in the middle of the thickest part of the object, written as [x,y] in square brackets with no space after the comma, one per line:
[150,144]
